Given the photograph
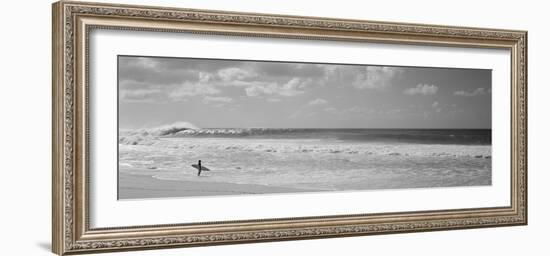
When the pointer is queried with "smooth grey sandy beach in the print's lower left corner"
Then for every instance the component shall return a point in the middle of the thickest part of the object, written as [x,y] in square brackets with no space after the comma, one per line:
[136,186]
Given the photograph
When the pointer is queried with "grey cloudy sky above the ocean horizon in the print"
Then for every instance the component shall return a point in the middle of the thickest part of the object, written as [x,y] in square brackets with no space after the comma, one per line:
[212,93]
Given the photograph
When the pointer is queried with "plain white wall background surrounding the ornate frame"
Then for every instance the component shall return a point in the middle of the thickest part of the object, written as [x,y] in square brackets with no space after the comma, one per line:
[25,114]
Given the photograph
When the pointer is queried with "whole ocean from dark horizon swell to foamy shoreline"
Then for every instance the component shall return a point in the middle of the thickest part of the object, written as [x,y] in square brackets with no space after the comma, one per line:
[311,159]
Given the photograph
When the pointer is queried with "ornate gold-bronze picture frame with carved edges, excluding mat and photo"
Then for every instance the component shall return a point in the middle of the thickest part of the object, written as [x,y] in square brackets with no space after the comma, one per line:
[72,23]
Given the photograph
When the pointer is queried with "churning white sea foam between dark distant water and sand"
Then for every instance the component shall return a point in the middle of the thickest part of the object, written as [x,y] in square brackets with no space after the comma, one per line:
[310,163]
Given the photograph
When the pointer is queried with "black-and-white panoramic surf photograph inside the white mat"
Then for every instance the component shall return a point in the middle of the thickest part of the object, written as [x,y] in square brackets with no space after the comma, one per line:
[192,127]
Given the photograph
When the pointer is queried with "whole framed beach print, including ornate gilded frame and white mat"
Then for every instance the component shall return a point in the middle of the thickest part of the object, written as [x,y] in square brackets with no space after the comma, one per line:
[179,127]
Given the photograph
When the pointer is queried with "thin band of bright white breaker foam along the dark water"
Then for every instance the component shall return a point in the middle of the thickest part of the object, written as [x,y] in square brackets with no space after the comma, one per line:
[313,146]
